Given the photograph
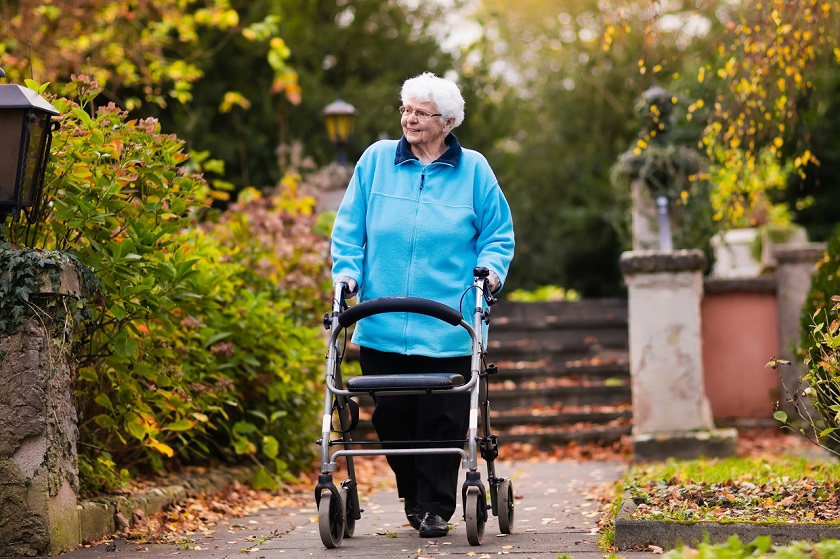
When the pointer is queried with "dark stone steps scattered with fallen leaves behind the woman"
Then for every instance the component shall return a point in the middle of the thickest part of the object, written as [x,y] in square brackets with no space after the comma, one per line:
[563,373]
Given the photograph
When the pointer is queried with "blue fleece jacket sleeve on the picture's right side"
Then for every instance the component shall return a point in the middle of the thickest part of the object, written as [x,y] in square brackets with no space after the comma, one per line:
[495,237]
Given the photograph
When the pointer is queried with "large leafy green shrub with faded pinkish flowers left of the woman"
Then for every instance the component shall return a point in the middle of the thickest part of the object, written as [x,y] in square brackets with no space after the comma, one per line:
[201,345]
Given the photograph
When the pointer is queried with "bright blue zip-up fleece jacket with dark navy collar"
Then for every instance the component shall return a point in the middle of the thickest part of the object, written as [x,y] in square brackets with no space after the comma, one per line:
[404,229]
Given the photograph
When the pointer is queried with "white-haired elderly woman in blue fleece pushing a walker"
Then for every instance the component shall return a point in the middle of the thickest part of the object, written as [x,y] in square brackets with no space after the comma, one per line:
[419,215]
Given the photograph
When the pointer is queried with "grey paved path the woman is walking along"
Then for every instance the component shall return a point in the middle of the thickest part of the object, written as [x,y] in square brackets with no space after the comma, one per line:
[553,519]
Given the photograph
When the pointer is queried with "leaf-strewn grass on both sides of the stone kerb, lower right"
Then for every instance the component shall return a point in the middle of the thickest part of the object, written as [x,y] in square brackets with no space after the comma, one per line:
[740,489]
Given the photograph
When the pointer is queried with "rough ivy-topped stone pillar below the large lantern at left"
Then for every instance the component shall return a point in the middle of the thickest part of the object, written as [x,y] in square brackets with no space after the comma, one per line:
[38,432]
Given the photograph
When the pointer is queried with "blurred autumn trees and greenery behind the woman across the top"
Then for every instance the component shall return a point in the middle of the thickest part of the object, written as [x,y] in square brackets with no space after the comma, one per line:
[551,87]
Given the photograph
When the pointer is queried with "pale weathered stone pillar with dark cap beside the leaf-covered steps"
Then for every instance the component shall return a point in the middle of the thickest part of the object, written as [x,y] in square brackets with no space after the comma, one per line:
[671,413]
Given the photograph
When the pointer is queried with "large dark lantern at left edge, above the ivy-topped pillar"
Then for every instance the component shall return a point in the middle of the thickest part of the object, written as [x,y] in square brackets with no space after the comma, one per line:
[26,128]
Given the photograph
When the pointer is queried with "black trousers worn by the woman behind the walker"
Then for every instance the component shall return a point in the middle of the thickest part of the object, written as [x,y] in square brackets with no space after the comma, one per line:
[431,480]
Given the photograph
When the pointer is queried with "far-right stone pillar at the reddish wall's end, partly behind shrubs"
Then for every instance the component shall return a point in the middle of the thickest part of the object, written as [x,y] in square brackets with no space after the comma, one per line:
[795,264]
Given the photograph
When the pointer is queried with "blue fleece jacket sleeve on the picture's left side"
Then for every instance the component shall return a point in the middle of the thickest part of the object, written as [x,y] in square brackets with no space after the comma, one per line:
[349,233]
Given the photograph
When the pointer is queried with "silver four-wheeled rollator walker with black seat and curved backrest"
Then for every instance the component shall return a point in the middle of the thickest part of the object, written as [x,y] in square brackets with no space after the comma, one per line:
[338,506]
